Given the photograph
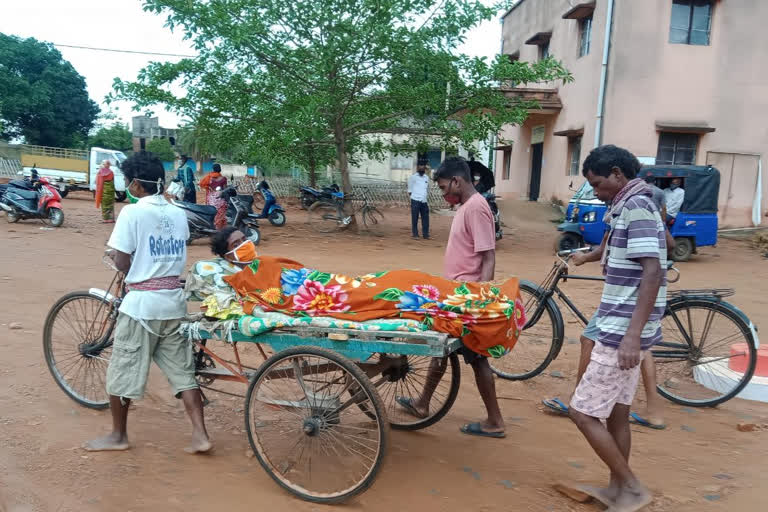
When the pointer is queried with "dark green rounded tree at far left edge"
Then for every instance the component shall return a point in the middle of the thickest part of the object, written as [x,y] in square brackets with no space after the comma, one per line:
[42,98]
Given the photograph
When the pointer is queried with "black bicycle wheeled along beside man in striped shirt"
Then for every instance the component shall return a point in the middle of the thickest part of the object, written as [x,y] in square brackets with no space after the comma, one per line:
[692,370]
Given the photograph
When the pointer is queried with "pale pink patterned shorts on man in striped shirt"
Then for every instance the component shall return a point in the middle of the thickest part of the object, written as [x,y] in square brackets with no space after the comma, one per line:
[604,384]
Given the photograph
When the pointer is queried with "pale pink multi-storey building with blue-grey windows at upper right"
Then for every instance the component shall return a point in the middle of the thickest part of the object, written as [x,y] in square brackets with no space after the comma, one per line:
[683,82]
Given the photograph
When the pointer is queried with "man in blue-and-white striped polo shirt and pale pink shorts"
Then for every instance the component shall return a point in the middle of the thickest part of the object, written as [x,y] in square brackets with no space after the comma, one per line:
[628,320]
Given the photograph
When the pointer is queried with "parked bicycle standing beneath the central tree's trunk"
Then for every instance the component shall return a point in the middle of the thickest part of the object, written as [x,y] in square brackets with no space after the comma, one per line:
[329,215]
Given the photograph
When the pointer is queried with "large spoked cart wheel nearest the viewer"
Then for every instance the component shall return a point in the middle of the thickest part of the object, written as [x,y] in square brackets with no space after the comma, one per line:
[306,430]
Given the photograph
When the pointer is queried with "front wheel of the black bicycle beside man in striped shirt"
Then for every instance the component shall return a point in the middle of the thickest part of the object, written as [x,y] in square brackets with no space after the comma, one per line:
[539,343]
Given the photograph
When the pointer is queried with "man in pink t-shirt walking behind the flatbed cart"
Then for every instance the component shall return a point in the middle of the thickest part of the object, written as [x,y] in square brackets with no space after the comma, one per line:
[469,256]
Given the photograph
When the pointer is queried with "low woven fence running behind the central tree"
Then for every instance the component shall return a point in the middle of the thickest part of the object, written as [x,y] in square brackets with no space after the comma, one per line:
[387,193]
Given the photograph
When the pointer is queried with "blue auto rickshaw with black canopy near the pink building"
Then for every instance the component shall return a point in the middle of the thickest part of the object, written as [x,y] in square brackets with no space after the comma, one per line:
[695,224]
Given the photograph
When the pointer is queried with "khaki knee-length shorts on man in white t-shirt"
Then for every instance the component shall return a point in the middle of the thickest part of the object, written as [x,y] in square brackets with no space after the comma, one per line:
[135,348]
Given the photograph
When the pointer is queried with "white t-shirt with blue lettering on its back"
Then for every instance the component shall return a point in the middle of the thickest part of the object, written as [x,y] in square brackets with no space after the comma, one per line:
[154,233]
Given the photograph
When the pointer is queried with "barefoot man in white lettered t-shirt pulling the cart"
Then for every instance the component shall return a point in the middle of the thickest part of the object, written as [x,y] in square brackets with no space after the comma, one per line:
[149,244]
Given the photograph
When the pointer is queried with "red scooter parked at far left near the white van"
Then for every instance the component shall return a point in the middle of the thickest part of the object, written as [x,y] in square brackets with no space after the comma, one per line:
[35,198]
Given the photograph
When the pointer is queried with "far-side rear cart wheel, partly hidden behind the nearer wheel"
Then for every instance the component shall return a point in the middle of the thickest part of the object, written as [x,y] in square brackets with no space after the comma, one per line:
[406,379]
